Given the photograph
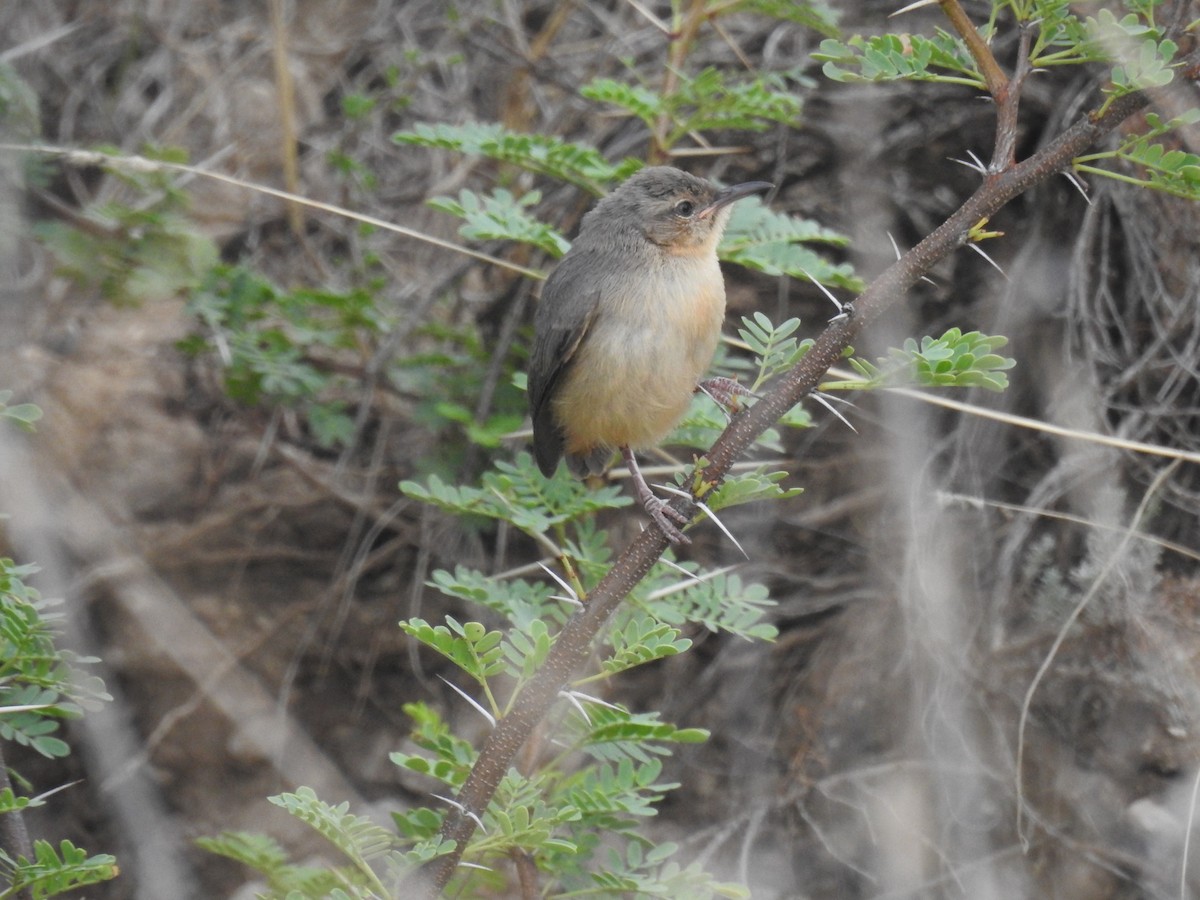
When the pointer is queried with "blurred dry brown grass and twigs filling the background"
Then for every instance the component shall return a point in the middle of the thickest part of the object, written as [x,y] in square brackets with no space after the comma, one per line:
[243,586]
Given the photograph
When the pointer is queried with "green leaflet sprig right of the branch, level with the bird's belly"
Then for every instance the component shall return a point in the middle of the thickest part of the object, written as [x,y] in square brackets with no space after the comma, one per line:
[953,361]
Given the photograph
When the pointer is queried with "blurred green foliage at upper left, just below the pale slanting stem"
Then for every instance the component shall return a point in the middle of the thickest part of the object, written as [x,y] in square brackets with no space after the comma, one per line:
[136,253]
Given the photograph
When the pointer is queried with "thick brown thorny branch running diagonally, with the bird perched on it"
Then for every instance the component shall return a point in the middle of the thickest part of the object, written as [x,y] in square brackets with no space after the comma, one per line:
[574,644]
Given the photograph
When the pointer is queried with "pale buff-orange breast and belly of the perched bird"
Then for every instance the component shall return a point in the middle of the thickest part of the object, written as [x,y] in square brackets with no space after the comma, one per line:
[652,339]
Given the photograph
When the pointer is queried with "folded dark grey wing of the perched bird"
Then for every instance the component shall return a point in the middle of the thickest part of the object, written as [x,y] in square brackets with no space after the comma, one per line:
[567,310]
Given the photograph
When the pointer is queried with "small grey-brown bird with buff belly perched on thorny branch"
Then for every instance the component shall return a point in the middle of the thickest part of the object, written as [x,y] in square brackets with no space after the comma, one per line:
[627,326]
